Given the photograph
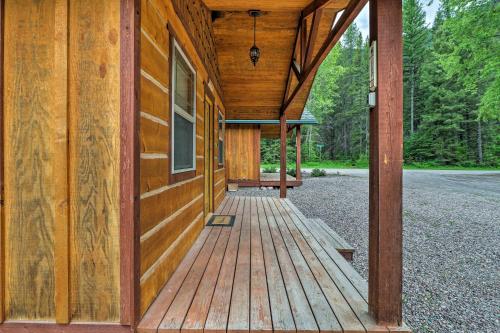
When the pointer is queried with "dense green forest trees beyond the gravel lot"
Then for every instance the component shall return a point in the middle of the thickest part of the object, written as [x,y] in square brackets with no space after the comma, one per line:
[451,90]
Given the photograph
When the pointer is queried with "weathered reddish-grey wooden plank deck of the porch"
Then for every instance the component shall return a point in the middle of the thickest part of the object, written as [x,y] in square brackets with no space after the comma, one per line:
[274,270]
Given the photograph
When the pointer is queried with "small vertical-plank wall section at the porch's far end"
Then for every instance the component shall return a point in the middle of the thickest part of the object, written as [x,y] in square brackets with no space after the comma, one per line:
[243,152]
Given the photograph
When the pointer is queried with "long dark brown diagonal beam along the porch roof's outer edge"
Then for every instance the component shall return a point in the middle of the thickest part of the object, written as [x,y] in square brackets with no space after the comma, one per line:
[349,14]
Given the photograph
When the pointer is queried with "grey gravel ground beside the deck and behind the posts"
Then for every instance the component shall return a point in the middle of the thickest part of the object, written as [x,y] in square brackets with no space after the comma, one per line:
[451,241]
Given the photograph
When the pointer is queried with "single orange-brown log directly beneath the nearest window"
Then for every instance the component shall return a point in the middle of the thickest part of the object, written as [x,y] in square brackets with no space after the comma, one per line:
[155,208]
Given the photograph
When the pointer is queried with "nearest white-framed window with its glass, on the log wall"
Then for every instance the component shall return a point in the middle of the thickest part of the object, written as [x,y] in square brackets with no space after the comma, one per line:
[183,112]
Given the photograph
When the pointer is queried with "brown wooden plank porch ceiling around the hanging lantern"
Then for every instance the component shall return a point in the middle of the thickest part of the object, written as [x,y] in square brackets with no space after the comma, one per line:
[257,92]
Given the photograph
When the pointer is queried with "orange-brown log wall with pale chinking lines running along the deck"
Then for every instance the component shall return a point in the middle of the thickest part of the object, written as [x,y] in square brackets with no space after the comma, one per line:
[172,210]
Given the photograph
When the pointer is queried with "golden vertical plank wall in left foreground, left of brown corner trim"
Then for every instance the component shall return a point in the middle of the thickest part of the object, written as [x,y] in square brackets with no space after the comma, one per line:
[61,160]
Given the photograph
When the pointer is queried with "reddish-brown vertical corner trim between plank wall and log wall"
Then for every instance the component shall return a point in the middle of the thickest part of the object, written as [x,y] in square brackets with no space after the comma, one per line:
[129,161]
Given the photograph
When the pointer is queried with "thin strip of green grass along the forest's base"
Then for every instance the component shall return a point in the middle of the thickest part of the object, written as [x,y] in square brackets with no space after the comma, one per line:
[364,165]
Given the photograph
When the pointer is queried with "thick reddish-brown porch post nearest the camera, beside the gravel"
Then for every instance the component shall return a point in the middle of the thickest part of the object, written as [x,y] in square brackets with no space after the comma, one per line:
[386,154]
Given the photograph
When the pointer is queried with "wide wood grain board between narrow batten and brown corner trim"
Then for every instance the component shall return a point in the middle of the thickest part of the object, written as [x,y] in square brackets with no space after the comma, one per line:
[94,159]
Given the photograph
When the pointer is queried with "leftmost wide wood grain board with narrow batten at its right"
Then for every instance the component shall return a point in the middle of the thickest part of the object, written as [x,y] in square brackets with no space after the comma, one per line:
[35,156]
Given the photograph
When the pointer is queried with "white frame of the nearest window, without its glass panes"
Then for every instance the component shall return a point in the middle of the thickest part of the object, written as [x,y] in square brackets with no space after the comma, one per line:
[179,111]
